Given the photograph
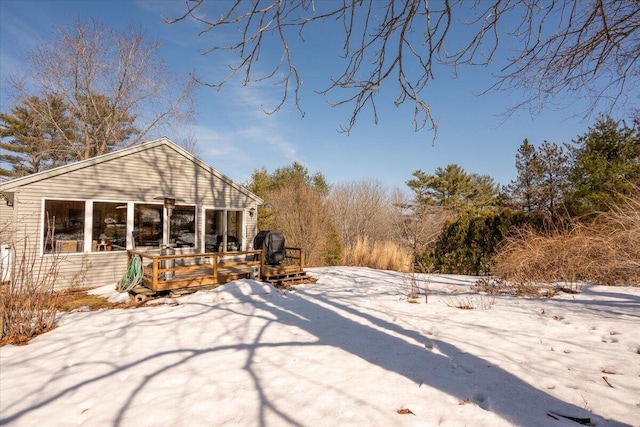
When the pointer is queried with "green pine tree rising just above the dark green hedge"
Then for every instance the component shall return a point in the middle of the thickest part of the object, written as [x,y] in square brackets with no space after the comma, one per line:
[453,189]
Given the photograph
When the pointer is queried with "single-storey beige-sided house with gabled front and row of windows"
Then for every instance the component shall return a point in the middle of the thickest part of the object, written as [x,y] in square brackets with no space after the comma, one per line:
[86,215]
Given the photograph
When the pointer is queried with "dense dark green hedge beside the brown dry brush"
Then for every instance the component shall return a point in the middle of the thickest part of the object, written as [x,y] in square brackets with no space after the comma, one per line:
[469,244]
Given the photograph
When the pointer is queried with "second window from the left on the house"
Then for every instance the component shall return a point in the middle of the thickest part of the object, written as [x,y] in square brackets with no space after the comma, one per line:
[109,230]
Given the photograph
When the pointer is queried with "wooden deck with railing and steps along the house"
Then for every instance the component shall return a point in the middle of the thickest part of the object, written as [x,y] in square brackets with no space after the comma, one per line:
[206,270]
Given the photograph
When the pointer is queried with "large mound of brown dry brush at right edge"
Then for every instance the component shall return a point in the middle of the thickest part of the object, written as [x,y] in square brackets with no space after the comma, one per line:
[603,251]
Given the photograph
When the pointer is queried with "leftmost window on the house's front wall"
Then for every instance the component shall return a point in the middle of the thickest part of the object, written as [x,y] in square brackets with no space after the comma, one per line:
[63,227]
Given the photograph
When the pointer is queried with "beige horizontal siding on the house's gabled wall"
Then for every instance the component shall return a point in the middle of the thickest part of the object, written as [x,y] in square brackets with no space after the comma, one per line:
[137,175]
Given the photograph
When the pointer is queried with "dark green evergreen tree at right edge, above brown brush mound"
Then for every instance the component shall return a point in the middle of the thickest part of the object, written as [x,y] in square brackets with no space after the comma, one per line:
[605,166]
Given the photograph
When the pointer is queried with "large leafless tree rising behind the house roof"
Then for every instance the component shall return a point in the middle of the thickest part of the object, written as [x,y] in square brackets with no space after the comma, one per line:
[111,82]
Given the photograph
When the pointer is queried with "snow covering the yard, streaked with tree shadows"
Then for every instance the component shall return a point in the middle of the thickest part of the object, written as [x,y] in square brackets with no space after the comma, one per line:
[349,350]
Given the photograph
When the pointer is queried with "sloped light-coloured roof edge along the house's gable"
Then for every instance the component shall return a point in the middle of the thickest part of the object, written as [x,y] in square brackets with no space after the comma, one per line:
[13,184]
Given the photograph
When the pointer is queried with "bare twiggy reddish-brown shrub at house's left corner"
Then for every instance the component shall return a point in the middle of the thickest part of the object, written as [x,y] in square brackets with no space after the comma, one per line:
[28,302]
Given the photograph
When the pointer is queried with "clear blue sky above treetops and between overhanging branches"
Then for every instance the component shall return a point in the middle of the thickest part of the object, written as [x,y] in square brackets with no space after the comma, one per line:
[236,137]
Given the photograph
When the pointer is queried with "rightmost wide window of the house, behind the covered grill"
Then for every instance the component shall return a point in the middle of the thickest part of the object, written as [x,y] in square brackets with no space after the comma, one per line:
[223,230]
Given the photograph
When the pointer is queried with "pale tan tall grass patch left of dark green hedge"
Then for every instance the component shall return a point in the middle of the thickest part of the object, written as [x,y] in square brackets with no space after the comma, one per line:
[379,255]
